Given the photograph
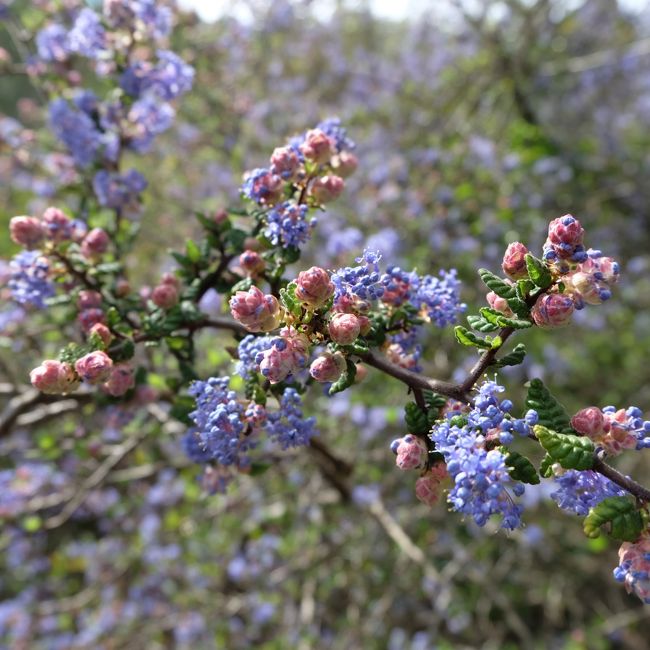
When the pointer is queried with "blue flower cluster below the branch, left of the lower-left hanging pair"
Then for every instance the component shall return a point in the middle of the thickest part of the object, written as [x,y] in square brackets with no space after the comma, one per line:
[220,422]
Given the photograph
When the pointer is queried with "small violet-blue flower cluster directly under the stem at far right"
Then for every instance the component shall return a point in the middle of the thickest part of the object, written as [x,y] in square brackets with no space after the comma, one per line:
[580,491]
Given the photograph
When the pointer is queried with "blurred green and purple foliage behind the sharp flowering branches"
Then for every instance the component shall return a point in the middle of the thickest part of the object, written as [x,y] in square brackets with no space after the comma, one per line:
[476,124]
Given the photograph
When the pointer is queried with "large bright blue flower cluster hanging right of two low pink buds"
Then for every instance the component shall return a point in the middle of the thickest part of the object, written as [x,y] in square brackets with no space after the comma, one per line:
[481,478]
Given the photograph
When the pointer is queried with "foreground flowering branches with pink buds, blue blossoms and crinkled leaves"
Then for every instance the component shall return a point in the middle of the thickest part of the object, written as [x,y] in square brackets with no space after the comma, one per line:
[299,331]
